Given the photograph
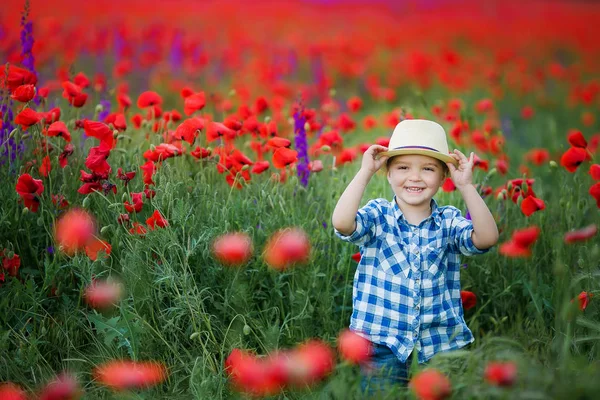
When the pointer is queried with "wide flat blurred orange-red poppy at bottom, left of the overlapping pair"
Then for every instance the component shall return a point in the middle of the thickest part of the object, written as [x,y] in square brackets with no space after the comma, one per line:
[124,375]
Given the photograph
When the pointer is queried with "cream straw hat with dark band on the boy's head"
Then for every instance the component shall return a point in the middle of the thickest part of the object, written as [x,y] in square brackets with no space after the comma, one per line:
[419,136]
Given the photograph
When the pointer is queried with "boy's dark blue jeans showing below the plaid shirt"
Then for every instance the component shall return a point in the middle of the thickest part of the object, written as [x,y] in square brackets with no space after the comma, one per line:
[383,370]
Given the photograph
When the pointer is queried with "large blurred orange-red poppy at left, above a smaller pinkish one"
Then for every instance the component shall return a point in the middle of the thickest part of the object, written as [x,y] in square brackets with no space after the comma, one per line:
[74,229]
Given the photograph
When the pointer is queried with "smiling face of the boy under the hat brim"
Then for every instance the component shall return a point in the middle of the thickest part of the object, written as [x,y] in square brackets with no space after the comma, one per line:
[415,179]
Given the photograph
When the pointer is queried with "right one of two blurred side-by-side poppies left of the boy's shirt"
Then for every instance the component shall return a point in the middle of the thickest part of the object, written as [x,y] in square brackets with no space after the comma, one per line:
[286,248]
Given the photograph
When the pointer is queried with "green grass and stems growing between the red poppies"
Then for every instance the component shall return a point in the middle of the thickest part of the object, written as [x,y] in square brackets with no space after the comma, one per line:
[188,311]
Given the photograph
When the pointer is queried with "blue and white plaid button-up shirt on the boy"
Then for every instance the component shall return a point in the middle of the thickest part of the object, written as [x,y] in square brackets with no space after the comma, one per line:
[407,284]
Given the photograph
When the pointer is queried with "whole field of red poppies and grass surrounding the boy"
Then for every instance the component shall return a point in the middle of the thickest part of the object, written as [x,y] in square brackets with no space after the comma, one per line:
[169,171]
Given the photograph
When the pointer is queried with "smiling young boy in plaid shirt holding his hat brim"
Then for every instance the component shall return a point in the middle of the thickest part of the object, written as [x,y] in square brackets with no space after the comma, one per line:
[406,292]
